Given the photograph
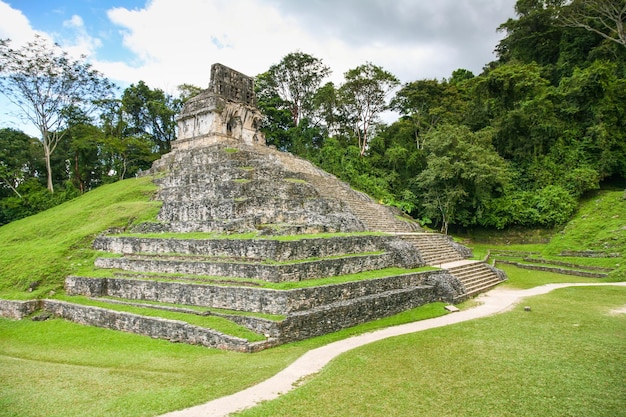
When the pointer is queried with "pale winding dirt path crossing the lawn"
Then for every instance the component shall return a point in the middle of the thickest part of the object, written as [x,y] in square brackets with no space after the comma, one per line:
[493,302]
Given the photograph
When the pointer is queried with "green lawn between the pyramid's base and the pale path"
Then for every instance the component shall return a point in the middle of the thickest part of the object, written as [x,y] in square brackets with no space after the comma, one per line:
[57,368]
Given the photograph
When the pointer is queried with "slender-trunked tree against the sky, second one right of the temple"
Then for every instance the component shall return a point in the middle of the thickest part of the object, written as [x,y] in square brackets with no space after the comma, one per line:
[364,96]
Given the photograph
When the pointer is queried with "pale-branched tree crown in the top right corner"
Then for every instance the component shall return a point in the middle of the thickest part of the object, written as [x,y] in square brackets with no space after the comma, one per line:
[603,17]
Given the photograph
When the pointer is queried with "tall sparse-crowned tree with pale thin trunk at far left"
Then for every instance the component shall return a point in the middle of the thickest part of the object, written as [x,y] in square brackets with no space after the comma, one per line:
[42,81]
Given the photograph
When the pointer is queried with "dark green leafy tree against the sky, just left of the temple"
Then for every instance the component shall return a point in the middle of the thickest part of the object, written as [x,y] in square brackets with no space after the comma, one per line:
[151,113]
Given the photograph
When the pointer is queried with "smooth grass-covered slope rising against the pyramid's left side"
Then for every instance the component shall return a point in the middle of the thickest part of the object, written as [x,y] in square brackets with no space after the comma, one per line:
[50,245]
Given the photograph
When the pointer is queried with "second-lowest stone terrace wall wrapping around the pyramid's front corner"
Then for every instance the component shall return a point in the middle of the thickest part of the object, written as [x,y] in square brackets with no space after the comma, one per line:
[257,300]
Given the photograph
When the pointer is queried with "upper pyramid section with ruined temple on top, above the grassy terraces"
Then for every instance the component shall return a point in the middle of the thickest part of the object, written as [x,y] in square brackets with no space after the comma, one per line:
[221,176]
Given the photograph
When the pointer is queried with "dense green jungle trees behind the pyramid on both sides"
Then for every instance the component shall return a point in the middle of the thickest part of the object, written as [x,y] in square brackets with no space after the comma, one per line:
[515,146]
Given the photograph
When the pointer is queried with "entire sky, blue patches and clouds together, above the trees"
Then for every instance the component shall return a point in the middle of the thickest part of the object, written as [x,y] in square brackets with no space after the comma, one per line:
[166,43]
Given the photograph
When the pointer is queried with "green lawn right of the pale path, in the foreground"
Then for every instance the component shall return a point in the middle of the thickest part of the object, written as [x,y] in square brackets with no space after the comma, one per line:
[564,358]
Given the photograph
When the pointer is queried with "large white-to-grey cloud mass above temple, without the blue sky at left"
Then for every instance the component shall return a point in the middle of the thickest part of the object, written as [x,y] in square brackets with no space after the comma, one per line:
[413,40]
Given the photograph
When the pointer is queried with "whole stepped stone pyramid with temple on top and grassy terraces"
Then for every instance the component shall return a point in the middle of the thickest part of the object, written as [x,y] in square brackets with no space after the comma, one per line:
[222,180]
